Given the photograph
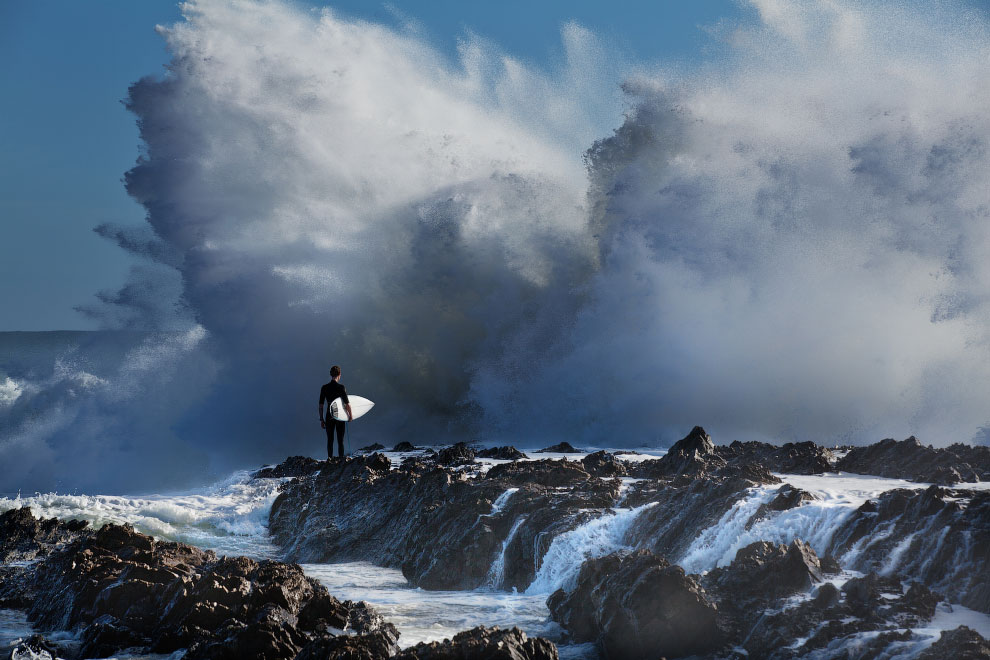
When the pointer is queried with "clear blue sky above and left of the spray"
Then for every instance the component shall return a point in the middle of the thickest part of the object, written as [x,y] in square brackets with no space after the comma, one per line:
[67,139]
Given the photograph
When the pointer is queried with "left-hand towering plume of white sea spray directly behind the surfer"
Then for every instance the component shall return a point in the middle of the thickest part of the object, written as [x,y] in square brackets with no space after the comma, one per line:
[338,192]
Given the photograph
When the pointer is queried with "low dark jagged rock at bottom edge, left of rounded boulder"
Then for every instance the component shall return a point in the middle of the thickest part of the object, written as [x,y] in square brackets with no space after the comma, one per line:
[484,644]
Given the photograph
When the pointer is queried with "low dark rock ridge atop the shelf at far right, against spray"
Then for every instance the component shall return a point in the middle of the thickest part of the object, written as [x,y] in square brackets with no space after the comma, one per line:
[911,460]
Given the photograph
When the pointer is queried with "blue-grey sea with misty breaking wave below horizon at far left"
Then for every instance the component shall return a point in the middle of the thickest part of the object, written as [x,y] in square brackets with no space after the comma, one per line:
[95,410]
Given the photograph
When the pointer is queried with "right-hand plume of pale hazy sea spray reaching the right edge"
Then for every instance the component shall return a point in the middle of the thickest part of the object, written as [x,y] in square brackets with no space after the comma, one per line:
[793,242]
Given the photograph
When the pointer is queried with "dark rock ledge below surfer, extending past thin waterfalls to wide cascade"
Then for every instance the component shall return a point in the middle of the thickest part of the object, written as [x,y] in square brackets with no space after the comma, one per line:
[434,523]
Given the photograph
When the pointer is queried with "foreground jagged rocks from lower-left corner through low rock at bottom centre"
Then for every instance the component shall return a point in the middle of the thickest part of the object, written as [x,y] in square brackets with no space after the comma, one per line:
[124,591]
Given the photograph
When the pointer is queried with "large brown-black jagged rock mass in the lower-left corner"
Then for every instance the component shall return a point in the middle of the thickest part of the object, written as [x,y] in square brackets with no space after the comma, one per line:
[123,590]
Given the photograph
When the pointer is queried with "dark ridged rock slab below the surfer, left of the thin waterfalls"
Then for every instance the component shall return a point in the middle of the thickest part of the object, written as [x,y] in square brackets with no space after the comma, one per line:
[423,520]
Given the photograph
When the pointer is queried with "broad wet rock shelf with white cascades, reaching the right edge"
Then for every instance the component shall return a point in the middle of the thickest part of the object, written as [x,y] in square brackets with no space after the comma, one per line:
[755,563]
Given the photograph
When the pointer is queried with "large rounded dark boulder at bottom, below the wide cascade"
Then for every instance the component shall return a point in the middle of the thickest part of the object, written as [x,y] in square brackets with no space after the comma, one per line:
[637,605]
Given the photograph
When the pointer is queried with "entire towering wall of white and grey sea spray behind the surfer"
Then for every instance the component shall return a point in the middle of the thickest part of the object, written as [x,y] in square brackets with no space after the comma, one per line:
[786,244]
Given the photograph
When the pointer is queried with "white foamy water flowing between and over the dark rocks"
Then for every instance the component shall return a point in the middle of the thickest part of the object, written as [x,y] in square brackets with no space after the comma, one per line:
[230,518]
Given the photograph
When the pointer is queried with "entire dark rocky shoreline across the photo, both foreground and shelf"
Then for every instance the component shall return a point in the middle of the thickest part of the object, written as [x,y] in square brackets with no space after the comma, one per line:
[448,521]
